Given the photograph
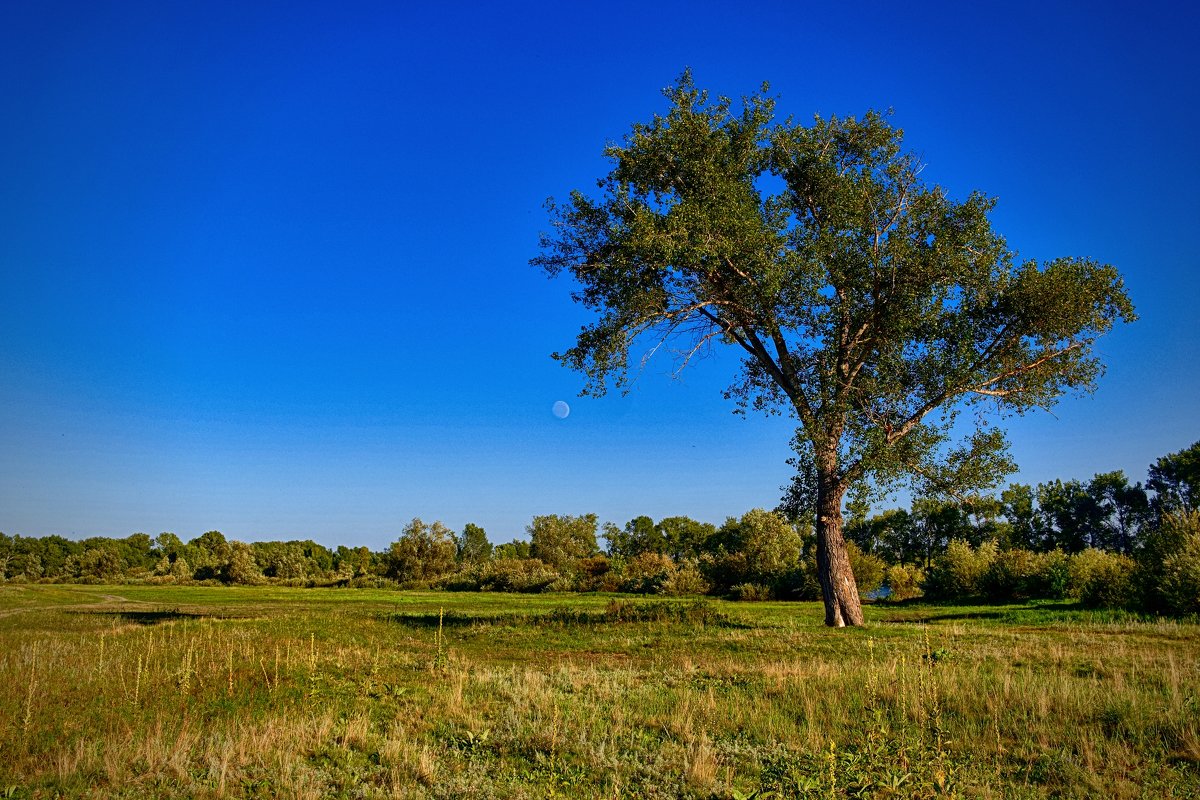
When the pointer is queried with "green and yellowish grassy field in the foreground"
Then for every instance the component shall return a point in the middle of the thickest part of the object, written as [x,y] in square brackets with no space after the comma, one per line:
[265,693]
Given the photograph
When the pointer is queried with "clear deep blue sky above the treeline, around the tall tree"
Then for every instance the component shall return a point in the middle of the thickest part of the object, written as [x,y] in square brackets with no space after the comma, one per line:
[263,266]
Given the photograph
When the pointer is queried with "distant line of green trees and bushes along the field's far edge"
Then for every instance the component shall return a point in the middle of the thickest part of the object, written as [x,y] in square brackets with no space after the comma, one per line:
[1105,543]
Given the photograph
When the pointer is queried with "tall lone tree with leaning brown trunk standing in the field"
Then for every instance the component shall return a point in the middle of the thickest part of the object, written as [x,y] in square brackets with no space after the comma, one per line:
[869,305]
